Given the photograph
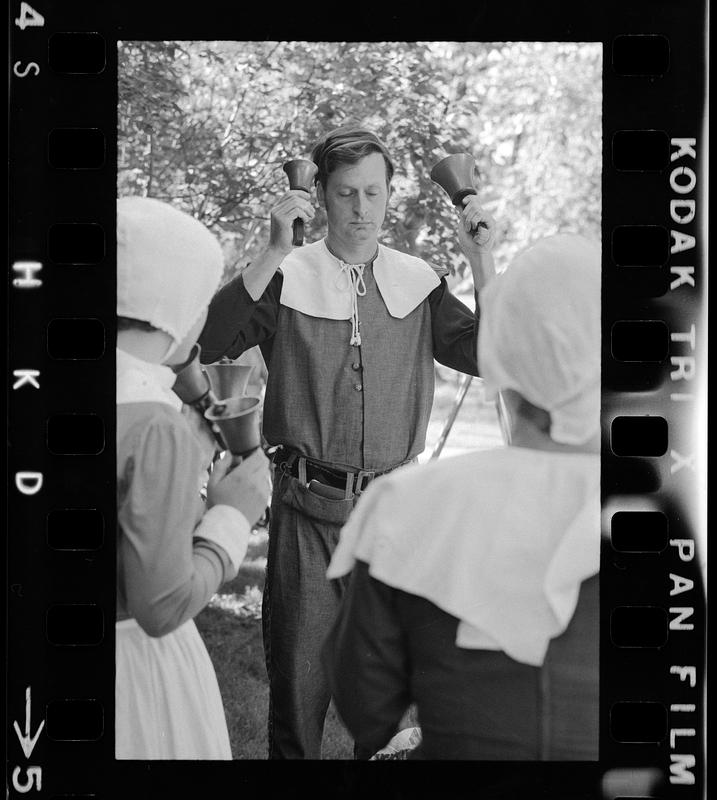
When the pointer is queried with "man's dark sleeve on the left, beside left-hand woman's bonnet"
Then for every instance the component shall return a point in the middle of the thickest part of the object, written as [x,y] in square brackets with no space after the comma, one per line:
[235,322]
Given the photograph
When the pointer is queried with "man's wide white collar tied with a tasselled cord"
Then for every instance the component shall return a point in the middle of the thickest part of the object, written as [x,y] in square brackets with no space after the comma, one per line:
[315,284]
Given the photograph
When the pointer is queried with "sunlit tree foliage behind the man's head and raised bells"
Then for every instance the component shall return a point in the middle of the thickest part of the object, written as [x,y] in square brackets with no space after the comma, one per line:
[207,125]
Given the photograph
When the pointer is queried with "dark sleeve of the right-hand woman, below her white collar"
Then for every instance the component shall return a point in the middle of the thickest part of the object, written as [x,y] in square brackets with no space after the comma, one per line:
[366,663]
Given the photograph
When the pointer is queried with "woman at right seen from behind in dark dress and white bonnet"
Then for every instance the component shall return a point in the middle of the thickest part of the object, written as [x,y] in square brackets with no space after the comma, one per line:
[474,586]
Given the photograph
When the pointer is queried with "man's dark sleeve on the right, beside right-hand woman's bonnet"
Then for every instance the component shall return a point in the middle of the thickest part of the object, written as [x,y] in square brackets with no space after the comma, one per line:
[455,330]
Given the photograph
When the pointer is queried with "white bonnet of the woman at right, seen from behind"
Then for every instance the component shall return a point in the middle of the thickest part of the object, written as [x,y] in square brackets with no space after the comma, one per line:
[540,333]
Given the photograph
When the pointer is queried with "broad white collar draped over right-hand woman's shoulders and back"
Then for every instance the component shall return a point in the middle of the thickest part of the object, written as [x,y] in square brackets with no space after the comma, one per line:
[501,539]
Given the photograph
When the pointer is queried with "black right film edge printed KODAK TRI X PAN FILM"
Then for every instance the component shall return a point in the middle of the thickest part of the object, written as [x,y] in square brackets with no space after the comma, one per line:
[655,425]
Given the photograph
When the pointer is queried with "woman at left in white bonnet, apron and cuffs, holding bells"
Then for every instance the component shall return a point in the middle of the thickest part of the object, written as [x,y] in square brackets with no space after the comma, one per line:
[173,550]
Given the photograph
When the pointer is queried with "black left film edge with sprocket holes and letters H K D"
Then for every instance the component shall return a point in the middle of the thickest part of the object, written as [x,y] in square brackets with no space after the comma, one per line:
[61,408]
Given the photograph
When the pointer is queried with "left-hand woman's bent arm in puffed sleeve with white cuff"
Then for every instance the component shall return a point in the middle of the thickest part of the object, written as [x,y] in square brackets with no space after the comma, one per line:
[167,576]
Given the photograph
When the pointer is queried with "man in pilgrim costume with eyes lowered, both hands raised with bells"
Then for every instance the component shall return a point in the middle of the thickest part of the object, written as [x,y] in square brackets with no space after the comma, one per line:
[349,330]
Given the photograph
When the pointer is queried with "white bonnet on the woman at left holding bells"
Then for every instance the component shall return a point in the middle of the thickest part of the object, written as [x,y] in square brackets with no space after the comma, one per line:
[168,266]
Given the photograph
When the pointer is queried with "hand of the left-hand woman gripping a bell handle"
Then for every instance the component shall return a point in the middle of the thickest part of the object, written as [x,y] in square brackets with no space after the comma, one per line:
[246,487]
